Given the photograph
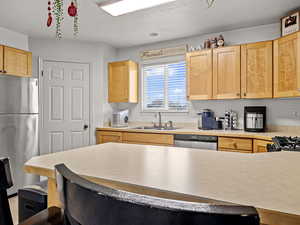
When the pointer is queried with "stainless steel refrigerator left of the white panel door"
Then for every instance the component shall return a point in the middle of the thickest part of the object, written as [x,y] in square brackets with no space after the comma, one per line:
[19,119]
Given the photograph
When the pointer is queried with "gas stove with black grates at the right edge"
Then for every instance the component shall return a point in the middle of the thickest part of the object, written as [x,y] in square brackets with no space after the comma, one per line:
[285,144]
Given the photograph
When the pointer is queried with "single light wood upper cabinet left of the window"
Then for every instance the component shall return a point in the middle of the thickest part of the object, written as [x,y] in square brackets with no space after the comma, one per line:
[123,82]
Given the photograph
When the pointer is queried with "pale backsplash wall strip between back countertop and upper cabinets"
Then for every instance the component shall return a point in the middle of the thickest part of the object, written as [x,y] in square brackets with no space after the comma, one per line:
[280,112]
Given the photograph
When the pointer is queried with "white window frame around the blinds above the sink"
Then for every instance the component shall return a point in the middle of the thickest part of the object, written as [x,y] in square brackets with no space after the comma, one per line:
[147,110]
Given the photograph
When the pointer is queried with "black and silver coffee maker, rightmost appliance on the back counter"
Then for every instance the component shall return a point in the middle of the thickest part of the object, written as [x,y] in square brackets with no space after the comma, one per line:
[255,118]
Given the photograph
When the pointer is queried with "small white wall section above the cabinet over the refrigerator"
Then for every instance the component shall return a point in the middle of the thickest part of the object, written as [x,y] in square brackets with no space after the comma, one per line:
[13,39]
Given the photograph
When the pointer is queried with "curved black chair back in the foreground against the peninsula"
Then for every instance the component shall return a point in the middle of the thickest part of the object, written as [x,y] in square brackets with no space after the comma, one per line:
[87,203]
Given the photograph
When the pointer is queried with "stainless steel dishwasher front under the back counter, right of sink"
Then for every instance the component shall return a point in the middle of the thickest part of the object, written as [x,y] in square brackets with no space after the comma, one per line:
[196,141]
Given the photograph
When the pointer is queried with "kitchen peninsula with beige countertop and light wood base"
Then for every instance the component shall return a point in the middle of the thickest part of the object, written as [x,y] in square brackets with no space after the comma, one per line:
[187,174]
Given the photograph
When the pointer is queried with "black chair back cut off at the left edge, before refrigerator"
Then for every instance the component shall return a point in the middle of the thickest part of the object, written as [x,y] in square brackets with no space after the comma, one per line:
[5,183]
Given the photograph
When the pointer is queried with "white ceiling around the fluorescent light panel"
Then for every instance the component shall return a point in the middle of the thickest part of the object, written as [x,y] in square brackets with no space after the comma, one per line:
[174,20]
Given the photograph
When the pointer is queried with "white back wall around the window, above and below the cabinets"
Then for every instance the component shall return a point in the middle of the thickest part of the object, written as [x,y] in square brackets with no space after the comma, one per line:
[280,112]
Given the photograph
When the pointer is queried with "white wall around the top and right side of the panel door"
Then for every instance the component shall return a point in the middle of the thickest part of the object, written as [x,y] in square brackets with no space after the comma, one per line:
[96,54]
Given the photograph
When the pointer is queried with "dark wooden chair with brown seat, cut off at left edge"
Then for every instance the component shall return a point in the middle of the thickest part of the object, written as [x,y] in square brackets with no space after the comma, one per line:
[51,216]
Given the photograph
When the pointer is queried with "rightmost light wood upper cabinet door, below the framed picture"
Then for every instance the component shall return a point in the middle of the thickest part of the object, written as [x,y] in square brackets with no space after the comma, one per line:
[287,66]
